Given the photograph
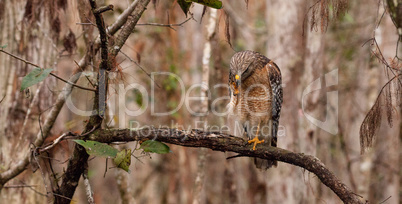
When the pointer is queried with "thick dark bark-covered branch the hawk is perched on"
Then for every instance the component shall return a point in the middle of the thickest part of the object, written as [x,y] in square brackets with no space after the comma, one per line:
[227,143]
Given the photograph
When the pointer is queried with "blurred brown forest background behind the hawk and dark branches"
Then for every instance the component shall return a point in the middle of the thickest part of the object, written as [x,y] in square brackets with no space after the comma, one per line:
[50,33]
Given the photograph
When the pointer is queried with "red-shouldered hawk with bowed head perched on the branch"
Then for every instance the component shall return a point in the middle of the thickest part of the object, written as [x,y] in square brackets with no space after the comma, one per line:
[256,98]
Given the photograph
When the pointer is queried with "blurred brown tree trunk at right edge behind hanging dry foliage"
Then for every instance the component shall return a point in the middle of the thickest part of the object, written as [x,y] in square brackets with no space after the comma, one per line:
[385,177]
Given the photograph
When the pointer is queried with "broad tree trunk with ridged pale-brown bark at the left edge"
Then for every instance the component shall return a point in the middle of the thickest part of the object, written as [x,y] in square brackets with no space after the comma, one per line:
[31,33]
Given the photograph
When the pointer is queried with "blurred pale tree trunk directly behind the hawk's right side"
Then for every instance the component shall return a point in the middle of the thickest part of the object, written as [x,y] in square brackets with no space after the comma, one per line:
[286,47]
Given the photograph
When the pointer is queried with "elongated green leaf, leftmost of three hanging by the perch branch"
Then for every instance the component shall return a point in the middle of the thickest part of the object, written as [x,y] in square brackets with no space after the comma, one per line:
[97,149]
